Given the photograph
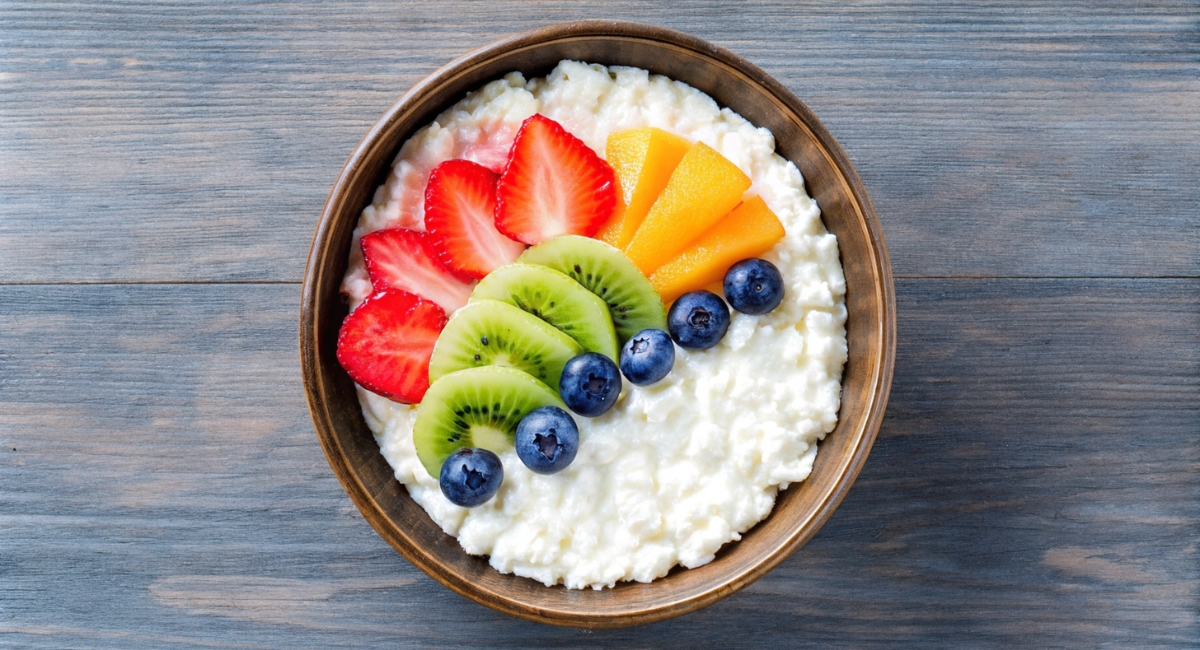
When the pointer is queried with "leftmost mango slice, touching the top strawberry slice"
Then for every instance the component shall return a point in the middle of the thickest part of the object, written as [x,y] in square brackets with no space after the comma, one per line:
[644,160]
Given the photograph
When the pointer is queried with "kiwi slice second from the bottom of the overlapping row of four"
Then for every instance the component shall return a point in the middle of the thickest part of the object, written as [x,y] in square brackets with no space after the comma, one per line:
[490,333]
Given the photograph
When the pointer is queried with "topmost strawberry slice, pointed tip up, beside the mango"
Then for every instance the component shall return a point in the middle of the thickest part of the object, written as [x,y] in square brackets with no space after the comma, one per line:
[554,185]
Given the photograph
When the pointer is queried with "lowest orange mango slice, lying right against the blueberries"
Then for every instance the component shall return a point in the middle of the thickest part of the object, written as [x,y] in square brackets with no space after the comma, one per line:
[748,232]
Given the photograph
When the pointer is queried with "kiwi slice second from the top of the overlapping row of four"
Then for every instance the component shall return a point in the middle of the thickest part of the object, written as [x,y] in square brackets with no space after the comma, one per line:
[556,299]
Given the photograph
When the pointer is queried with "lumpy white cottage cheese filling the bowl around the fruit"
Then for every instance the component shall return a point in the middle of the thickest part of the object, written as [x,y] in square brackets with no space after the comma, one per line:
[677,470]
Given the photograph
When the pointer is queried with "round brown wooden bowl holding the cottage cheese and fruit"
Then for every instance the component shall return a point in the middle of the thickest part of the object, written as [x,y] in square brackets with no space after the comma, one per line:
[800,511]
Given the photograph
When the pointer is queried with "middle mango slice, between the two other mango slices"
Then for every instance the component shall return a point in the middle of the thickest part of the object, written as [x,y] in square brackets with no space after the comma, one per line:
[703,190]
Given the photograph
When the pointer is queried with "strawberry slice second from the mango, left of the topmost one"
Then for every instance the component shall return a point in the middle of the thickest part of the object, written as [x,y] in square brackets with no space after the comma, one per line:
[460,210]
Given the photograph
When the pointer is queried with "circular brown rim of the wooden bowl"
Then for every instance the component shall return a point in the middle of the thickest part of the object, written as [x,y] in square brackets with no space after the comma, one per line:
[880,376]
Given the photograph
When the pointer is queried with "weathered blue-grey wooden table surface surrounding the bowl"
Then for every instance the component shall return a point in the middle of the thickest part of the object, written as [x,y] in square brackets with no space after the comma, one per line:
[1037,173]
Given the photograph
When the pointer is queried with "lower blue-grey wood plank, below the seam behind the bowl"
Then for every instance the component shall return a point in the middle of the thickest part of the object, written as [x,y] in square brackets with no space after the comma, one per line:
[1036,484]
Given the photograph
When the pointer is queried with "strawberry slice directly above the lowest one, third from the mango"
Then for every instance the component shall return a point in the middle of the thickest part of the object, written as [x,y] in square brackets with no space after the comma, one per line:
[406,260]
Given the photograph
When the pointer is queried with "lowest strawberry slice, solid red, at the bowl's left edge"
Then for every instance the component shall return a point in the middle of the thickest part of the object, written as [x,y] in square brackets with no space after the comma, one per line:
[387,342]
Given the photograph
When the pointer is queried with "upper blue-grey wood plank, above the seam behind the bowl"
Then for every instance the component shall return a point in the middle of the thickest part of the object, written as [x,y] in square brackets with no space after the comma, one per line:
[152,141]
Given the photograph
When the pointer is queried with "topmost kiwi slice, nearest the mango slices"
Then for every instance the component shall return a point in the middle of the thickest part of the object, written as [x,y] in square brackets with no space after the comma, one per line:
[609,274]
